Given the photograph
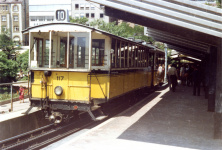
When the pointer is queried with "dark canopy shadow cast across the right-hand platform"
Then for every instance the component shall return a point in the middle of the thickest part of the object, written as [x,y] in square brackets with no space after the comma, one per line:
[176,119]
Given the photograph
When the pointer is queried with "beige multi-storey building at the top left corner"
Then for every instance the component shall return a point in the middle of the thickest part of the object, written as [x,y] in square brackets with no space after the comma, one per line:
[13,15]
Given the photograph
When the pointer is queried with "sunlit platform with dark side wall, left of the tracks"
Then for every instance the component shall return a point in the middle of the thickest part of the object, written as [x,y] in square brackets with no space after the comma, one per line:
[15,122]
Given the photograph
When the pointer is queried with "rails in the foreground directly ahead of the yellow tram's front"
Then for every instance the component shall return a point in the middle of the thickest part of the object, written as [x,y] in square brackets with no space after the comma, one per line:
[43,136]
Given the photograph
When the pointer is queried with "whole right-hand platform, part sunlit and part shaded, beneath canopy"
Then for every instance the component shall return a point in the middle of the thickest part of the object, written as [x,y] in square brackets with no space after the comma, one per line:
[164,120]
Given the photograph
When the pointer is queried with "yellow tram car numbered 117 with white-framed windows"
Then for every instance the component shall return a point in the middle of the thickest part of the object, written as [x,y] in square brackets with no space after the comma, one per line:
[75,67]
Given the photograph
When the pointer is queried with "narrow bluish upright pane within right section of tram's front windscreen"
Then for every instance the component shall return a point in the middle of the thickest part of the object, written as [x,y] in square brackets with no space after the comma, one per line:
[81,45]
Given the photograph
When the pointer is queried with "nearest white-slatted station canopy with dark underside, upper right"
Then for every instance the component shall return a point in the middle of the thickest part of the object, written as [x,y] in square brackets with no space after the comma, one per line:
[188,27]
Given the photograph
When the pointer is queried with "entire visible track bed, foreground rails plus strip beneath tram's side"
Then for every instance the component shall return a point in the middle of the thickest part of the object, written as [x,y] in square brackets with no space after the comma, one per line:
[46,135]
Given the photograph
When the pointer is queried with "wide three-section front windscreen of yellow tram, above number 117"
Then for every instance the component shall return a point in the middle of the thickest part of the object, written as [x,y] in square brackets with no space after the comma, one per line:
[68,50]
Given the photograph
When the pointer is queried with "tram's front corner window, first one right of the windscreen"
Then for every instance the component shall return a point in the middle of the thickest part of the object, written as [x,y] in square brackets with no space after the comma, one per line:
[98,46]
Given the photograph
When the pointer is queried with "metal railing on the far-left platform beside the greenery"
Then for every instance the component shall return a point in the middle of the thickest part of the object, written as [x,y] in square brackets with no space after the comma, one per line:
[6,85]
